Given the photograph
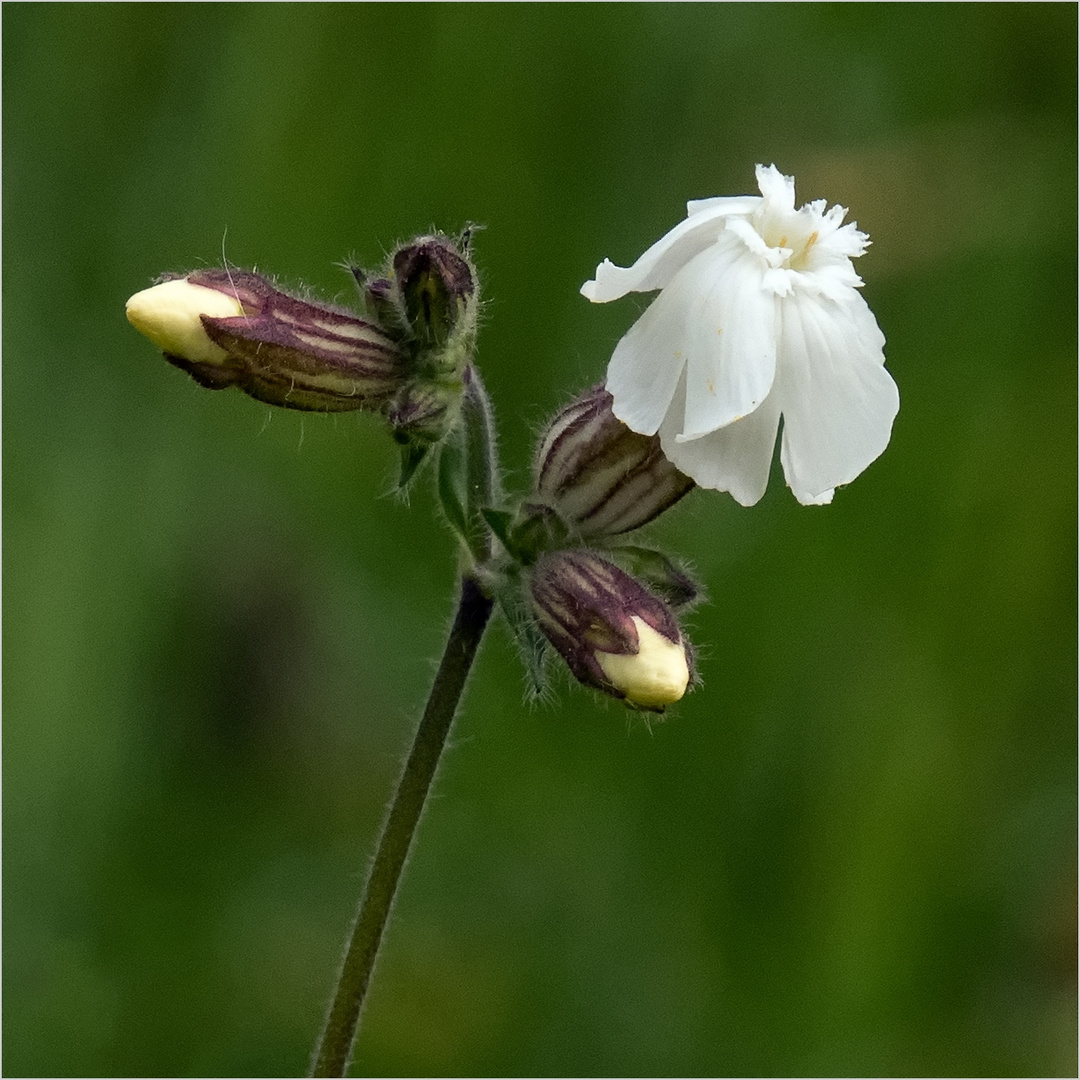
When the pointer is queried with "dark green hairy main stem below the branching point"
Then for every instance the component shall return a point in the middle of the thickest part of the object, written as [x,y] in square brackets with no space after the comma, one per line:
[331,1058]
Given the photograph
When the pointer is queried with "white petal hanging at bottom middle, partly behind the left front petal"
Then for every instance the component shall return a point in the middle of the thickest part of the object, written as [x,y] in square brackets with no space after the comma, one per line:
[736,458]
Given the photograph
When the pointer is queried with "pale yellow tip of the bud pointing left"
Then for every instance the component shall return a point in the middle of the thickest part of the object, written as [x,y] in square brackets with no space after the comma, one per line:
[169,316]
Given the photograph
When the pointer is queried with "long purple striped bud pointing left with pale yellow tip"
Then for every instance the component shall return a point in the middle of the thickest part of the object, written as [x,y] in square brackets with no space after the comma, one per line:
[234,329]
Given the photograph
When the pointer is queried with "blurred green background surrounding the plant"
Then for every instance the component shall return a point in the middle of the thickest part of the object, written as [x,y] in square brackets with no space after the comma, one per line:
[853,852]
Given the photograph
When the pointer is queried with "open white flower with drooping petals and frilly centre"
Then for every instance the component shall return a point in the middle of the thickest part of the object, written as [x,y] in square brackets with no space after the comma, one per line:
[759,318]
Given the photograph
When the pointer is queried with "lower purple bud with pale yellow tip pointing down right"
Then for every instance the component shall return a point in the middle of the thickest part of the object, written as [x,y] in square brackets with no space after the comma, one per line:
[613,634]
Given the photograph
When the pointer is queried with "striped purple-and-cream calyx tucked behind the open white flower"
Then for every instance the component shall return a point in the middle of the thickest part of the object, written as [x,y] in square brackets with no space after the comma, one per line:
[601,478]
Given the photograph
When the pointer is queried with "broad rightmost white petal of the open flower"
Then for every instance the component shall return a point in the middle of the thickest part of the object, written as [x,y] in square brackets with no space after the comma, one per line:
[838,399]
